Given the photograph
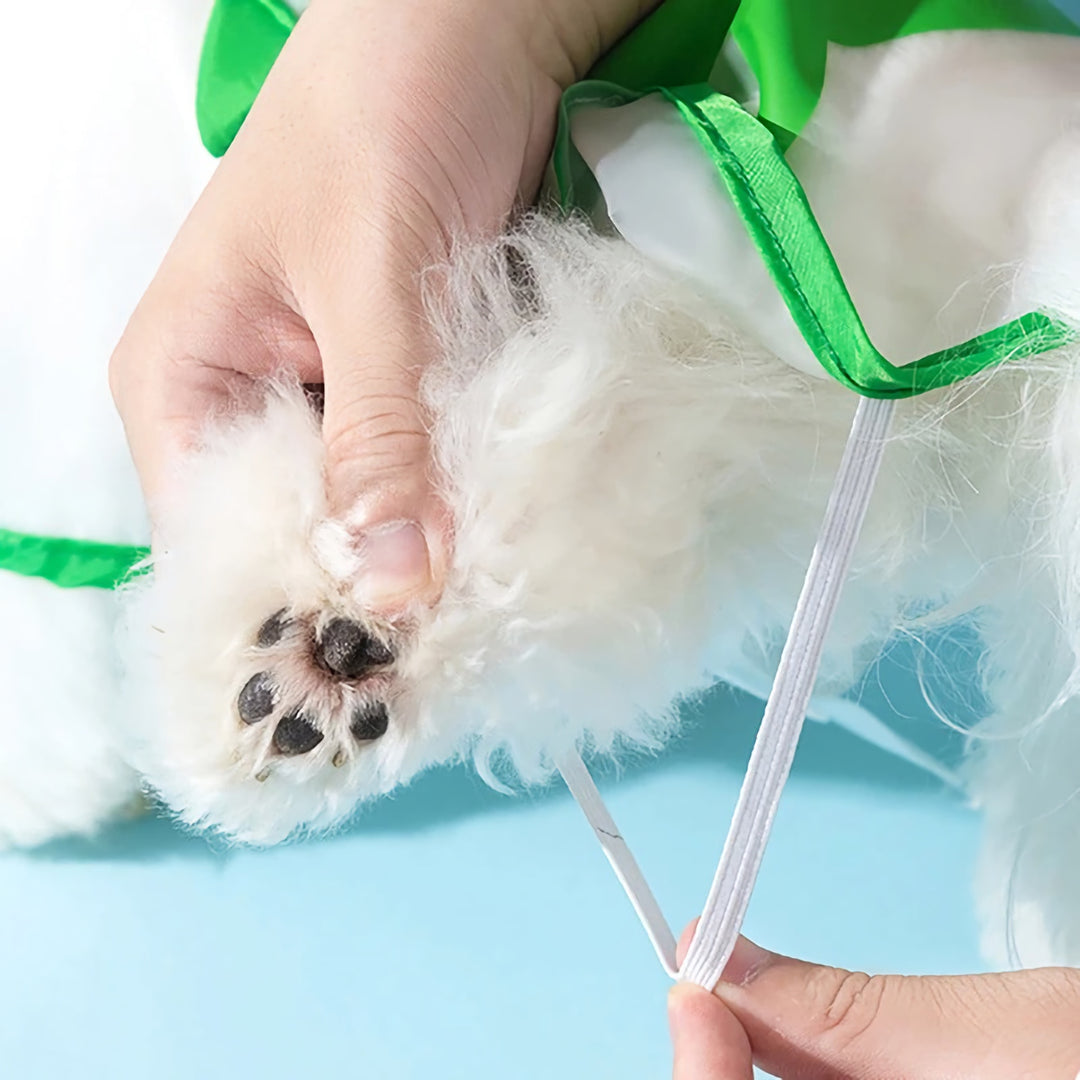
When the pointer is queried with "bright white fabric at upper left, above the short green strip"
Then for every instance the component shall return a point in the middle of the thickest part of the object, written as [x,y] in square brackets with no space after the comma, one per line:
[106,170]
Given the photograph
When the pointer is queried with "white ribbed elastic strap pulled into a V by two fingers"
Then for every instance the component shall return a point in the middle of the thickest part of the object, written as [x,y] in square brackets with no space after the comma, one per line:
[775,748]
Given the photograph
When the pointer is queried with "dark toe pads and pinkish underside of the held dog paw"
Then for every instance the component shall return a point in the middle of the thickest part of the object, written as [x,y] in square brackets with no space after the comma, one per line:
[315,684]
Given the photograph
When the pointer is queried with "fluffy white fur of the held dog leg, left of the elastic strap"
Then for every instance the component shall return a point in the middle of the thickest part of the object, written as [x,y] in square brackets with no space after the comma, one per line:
[580,448]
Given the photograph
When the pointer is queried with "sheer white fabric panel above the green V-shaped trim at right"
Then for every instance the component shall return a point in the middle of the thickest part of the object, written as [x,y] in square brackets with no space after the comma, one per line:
[921,163]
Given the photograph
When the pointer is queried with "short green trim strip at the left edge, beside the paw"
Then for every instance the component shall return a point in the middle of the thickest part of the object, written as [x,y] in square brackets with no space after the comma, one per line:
[71,564]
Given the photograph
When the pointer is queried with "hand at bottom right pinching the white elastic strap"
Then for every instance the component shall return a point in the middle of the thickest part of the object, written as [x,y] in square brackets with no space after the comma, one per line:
[804,1022]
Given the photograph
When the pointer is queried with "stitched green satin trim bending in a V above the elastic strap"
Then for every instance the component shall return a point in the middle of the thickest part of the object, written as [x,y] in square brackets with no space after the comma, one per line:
[779,220]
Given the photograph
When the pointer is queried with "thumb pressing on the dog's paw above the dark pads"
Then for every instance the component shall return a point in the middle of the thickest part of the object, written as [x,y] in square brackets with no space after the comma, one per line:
[374,347]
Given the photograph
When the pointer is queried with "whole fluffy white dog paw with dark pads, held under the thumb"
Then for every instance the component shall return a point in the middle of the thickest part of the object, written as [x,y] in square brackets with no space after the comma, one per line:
[268,700]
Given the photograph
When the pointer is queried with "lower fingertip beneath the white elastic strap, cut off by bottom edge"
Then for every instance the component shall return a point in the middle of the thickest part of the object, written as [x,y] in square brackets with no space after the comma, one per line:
[709,1043]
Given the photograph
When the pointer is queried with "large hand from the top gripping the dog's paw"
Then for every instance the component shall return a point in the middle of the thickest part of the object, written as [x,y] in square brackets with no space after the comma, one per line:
[384,132]
